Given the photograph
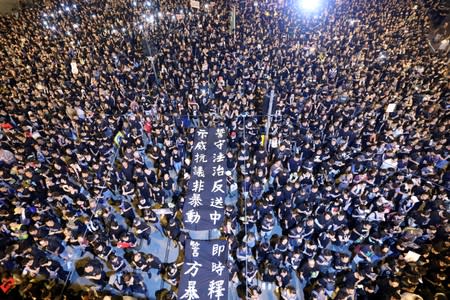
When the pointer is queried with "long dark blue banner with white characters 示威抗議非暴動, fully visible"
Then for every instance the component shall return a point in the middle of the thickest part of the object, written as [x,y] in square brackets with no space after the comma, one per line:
[203,207]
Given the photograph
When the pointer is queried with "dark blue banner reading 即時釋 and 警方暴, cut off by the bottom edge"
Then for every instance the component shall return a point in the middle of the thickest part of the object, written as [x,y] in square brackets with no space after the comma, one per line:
[204,274]
